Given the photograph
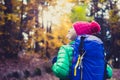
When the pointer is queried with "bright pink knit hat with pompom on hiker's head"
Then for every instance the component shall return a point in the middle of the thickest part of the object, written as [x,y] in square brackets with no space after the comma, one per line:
[86,27]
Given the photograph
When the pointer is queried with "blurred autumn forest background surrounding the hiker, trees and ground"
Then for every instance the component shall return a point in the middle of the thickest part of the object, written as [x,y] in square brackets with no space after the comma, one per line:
[31,32]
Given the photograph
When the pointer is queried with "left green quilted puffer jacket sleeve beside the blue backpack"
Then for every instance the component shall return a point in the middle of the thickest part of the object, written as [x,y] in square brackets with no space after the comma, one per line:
[61,67]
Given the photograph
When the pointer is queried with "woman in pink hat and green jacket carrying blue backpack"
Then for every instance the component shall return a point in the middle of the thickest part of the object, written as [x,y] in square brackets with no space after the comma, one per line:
[69,66]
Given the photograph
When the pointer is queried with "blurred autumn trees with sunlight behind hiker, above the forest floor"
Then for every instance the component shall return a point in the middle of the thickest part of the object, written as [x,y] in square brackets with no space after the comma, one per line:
[40,26]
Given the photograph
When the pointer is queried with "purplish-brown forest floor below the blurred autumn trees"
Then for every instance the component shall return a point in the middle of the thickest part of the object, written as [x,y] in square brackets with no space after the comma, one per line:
[32,67]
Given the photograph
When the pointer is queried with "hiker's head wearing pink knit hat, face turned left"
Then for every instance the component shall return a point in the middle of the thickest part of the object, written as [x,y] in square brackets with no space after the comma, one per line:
[80,28]
